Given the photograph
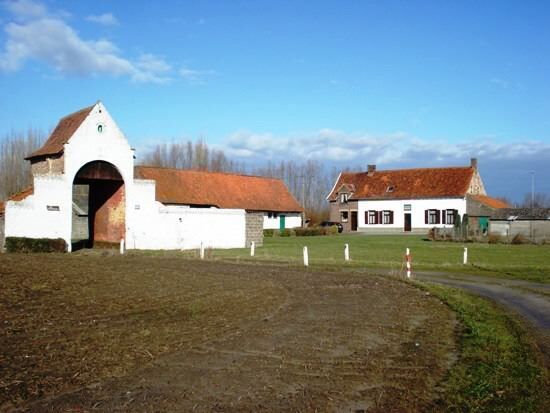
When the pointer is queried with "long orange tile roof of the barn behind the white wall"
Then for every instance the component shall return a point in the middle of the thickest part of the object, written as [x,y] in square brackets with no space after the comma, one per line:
[223,190]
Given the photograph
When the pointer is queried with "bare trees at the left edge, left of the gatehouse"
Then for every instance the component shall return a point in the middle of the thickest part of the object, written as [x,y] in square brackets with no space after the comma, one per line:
[15,171]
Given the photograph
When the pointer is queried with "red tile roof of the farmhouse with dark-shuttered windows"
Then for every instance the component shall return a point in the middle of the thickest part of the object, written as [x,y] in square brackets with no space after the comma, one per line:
[407,183]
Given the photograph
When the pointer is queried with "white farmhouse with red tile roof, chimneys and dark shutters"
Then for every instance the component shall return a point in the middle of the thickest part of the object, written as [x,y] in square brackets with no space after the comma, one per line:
[408,200]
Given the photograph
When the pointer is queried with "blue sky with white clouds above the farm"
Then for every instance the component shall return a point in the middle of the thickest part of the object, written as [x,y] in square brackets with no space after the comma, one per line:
[398,84]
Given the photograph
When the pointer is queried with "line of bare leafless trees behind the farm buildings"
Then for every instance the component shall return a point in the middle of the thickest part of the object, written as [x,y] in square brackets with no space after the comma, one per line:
[309,181]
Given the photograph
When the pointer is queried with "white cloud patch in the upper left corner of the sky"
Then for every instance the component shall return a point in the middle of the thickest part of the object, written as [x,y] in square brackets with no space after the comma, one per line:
[36,34]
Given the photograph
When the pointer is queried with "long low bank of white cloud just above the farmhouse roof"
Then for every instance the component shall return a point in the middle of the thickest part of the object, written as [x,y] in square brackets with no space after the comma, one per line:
[357,148]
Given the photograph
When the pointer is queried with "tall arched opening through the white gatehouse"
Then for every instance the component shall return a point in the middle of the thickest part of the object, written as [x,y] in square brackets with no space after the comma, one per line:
[99,206]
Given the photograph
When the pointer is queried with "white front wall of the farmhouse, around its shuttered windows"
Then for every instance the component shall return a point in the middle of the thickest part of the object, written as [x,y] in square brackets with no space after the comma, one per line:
[418,206]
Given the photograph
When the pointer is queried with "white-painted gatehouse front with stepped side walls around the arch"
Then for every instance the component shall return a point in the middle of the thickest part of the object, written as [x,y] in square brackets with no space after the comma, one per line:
[149,224]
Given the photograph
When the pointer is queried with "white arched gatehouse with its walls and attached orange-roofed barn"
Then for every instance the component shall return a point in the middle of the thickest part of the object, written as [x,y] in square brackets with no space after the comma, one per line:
[87,189]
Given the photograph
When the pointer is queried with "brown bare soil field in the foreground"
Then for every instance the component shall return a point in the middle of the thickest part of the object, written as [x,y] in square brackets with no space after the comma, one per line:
[142,334]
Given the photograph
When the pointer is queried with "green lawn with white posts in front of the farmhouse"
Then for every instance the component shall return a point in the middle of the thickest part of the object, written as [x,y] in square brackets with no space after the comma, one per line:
[530,262]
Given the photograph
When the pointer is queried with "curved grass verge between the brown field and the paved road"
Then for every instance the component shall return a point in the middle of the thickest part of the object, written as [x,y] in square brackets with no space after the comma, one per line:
[498,369]
